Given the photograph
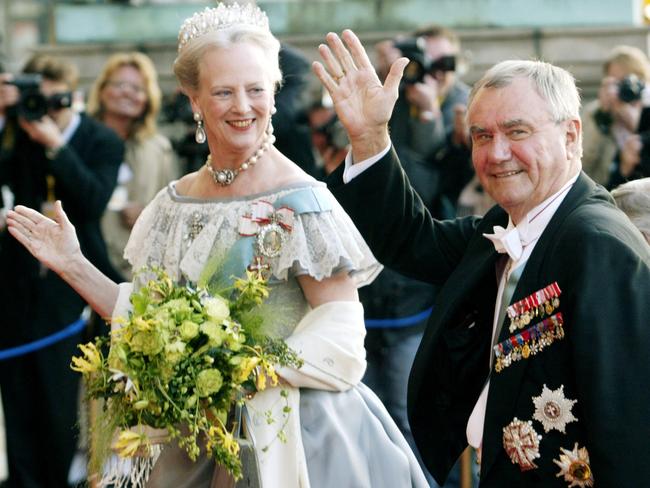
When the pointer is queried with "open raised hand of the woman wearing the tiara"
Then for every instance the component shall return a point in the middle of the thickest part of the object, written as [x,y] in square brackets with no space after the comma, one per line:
[53,242]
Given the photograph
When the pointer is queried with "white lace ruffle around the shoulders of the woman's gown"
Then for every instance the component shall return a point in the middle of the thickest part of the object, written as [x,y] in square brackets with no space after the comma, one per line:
[182,234]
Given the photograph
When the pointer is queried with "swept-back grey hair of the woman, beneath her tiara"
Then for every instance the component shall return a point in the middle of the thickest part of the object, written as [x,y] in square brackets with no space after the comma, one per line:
[187,63]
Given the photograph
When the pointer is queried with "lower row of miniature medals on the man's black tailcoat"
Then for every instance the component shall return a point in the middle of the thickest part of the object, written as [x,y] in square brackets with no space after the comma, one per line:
[528,342]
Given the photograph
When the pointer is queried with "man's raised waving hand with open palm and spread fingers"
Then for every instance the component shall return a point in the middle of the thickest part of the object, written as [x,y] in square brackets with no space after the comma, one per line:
[363,105]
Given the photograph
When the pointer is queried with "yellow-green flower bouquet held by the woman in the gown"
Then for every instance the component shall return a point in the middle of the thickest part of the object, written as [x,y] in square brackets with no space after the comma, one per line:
[181,361]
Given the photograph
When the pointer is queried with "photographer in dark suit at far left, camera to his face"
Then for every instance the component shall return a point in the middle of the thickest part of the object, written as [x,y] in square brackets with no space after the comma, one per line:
[48,152]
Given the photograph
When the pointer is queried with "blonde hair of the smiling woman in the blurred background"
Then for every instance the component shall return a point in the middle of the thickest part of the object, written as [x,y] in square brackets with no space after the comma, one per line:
[145,125]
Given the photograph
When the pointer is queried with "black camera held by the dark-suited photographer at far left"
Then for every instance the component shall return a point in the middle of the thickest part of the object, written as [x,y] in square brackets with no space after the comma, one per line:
[32,104]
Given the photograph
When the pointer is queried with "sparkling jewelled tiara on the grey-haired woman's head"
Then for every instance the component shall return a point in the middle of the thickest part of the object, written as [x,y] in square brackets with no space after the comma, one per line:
[219,18]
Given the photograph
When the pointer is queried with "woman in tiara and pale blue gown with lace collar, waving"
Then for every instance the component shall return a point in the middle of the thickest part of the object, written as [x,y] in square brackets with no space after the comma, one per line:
[339,435]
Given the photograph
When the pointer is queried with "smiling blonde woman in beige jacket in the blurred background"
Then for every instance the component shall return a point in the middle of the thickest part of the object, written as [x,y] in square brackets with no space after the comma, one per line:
[126,97]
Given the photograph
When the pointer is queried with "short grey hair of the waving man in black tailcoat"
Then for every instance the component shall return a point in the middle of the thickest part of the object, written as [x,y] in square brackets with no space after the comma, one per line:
[554,84]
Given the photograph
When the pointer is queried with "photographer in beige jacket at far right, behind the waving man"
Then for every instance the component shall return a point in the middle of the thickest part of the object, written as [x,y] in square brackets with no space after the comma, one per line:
[613,118]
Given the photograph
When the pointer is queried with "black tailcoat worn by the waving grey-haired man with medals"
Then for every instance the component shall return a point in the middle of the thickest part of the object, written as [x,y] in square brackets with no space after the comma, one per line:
[601,264]
